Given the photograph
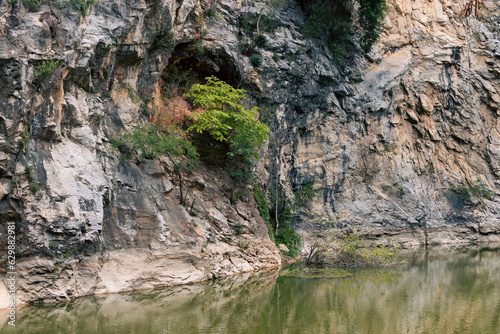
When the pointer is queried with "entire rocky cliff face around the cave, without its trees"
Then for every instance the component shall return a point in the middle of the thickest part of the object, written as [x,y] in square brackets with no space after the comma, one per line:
[397,141]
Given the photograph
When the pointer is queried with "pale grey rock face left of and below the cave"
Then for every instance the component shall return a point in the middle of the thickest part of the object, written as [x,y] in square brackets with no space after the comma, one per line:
[98,224]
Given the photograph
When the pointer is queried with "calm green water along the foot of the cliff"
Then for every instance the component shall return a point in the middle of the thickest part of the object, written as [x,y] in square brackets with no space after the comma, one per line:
[437,291]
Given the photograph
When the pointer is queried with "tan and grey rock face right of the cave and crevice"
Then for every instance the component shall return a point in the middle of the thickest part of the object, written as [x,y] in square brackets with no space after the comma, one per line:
[409,146]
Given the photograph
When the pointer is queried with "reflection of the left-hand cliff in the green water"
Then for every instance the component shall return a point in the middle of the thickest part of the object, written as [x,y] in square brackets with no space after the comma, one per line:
[182,309]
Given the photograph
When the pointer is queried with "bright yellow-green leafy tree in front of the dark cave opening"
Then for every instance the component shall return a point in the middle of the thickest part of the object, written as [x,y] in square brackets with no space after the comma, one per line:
[225,119]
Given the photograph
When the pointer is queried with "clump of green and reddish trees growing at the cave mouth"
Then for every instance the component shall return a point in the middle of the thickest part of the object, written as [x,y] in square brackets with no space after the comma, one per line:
[222,117]
